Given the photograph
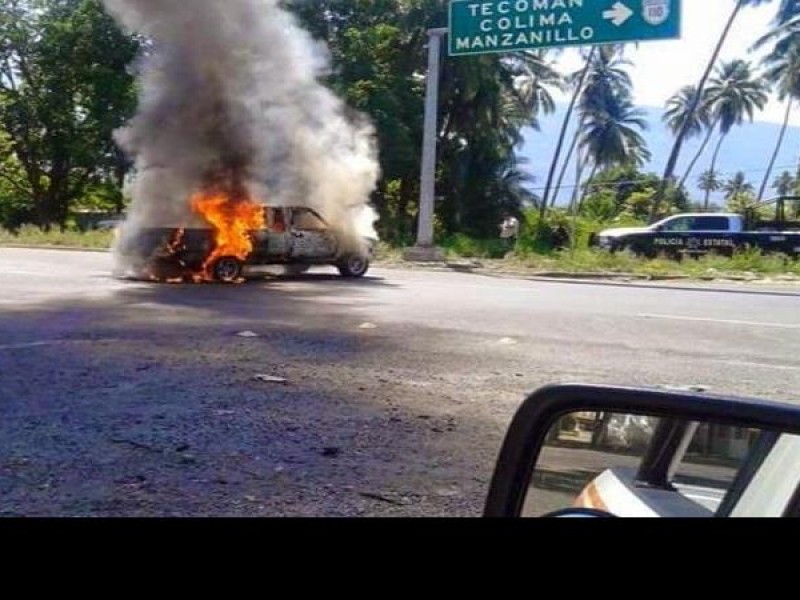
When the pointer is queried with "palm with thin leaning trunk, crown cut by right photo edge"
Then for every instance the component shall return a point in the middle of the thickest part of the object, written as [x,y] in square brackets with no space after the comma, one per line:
[783,70]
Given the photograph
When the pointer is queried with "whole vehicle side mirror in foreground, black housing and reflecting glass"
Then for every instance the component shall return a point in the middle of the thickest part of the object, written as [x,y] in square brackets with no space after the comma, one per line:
[597,451]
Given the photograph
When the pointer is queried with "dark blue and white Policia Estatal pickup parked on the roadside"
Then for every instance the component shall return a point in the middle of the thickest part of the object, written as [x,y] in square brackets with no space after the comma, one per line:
[703,233]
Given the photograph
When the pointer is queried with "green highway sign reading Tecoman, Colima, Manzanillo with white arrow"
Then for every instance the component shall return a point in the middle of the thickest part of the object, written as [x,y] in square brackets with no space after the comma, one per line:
[480,27]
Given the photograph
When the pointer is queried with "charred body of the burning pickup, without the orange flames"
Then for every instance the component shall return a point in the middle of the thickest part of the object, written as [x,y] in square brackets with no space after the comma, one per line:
[296,237]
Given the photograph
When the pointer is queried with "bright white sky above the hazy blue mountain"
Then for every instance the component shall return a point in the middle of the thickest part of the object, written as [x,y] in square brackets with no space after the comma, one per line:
[661,68]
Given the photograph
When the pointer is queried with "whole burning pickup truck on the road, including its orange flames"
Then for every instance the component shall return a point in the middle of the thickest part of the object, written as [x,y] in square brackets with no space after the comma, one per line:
[232,245]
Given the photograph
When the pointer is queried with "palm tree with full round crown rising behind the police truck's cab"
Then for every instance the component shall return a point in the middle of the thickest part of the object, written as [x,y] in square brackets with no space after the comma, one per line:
[733,94]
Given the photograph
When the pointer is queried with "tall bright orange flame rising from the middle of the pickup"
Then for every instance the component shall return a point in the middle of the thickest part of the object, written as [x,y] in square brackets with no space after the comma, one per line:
[232,221]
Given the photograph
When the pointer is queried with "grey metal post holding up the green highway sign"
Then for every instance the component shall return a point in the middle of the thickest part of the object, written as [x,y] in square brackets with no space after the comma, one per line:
[425,251]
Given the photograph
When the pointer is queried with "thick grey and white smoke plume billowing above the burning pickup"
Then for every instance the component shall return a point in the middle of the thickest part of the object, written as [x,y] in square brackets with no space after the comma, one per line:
[230,97]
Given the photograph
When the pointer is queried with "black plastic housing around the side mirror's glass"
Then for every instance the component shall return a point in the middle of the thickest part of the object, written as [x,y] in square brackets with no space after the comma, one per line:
[528,431]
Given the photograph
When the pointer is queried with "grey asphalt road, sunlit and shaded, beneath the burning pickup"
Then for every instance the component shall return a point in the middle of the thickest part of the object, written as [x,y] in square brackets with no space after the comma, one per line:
[122,398]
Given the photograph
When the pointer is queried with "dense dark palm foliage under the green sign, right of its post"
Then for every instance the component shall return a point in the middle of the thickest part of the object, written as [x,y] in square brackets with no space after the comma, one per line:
[486,102]
